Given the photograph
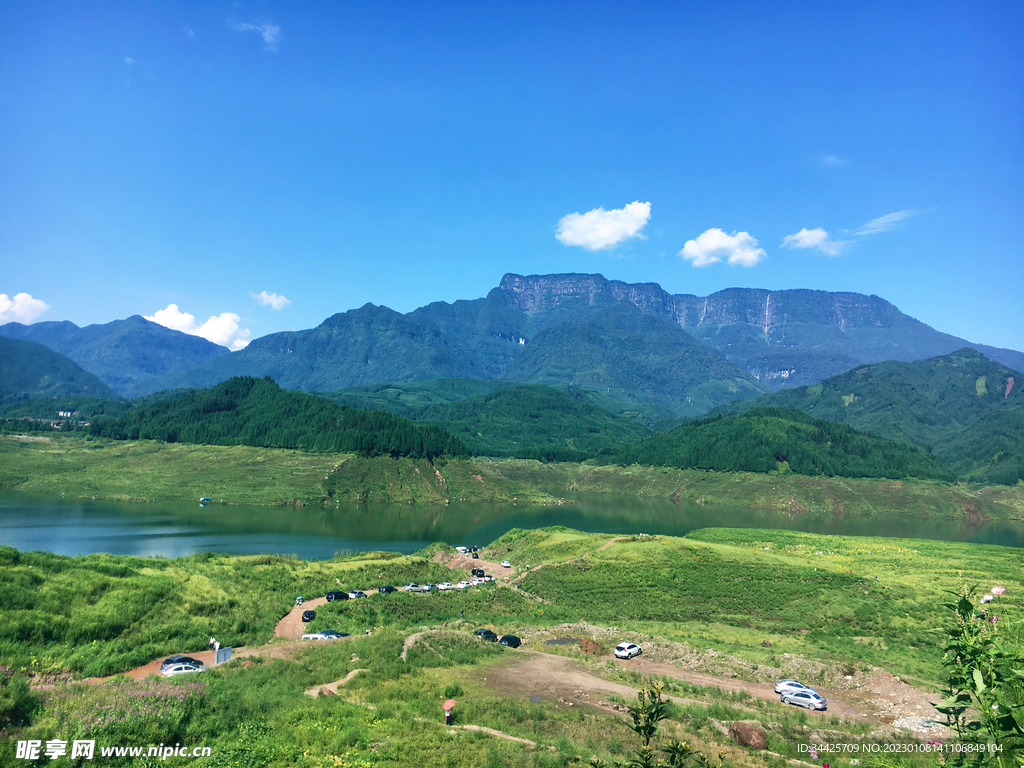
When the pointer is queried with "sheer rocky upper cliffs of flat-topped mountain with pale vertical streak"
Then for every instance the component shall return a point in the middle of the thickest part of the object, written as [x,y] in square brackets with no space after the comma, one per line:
[784,338]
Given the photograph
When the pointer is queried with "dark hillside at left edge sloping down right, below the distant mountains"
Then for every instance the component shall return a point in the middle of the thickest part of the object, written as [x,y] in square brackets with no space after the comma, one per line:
[29,370]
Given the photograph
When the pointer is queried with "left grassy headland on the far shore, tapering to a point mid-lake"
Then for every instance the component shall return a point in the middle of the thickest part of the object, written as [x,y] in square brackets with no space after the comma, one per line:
[149,471]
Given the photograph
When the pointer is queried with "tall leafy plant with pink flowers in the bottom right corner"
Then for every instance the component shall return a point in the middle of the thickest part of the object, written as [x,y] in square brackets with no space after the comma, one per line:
[986,679]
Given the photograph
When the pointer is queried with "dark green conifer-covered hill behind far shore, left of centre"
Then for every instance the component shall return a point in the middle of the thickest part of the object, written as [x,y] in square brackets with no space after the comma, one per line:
[247,411]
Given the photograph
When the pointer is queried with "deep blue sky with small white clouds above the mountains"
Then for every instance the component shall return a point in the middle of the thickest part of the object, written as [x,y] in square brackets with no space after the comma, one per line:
[265,165]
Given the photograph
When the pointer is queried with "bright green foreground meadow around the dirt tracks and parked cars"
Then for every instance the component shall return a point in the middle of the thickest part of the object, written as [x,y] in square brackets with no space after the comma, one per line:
[720,592]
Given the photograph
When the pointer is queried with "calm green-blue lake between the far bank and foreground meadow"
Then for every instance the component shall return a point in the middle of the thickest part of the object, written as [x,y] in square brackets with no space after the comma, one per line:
[182,529]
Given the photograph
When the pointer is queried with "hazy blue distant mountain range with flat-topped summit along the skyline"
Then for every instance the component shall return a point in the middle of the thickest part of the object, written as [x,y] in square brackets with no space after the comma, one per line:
[671,355]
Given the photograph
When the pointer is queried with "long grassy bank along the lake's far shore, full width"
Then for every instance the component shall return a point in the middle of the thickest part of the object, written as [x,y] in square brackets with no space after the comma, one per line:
[144,471]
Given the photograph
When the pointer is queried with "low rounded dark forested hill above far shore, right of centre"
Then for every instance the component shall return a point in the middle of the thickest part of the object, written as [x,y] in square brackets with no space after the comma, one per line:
[766,440]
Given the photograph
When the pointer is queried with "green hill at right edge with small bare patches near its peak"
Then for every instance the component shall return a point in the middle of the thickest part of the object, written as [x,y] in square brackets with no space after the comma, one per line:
[963,408]
